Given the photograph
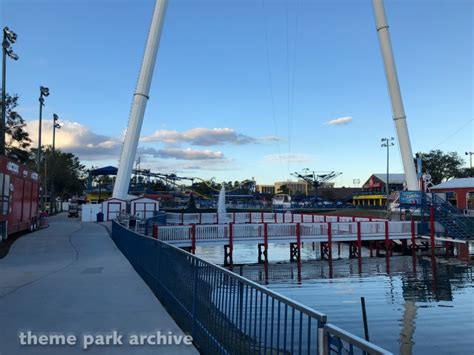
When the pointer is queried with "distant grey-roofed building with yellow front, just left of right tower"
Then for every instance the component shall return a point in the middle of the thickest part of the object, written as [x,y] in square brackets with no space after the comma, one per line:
[374,190]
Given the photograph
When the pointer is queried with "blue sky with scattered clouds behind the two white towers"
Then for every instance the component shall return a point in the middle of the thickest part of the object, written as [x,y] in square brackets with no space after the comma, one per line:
[246,88]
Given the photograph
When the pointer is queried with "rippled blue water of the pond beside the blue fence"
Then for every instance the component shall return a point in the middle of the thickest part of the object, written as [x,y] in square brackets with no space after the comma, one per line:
[413,305]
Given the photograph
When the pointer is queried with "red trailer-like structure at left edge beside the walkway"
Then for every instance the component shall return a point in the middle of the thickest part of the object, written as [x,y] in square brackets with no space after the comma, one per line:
[19,198]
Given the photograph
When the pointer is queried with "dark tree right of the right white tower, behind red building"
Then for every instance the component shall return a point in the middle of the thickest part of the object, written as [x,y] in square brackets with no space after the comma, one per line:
[442,166]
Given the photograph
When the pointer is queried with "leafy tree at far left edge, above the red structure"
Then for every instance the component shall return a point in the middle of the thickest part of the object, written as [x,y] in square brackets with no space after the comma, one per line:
[17,140]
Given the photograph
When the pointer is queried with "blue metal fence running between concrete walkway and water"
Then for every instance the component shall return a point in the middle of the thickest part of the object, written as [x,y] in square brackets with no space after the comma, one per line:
[226,313]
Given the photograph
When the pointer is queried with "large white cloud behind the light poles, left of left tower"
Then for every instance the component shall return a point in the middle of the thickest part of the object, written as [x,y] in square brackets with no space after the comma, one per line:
[76,138]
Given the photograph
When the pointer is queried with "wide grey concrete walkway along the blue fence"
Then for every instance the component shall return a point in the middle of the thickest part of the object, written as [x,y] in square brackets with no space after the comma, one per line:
[71,279]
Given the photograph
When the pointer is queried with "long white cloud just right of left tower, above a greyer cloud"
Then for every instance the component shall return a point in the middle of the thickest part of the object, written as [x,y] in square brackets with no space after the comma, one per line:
[200,136]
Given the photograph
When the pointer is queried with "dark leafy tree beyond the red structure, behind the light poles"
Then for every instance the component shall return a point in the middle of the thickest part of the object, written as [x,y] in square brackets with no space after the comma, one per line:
[64,171]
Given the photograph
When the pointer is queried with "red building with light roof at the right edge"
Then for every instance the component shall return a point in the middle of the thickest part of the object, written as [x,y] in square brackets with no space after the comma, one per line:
[460,192]
